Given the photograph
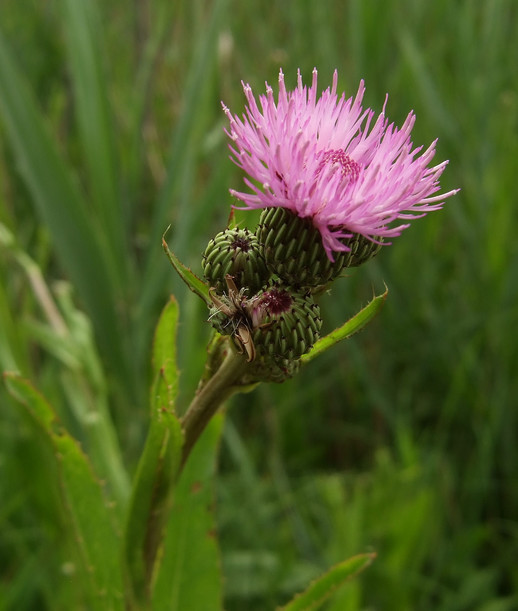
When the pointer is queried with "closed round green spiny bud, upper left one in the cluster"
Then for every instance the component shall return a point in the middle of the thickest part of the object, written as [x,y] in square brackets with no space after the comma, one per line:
[235,252]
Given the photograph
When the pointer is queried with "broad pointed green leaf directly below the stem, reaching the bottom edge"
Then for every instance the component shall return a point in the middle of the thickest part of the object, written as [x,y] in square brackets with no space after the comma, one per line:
[189,574]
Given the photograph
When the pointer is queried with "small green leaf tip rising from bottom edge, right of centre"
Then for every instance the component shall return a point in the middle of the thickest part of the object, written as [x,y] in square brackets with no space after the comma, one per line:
[323,587]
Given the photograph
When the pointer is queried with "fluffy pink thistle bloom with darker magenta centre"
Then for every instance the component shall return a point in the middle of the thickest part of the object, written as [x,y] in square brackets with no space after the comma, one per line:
[323,159]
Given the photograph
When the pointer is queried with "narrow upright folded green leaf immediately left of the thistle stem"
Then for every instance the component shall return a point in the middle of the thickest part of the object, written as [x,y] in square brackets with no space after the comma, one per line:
[158,466]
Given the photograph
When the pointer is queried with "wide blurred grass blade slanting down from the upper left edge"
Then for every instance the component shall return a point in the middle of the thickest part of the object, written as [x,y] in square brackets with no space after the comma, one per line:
[60,204]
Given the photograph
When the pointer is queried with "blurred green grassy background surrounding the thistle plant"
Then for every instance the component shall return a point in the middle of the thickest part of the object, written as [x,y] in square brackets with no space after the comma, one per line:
[402,440]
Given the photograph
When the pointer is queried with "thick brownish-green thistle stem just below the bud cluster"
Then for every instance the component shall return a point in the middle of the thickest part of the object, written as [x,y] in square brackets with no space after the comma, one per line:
[222,385]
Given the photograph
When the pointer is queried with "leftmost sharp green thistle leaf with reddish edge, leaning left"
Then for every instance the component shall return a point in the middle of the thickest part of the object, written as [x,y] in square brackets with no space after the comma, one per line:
[91,518]
